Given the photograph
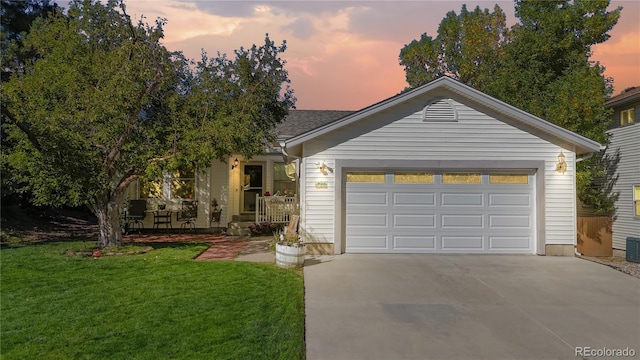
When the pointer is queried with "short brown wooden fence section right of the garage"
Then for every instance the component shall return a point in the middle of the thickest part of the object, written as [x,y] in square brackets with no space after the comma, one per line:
[594,235]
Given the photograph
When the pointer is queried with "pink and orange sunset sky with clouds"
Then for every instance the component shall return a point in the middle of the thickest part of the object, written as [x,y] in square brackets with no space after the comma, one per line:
[343,55]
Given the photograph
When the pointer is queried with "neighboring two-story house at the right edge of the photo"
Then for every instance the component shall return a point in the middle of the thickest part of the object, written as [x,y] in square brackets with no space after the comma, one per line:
[625,138]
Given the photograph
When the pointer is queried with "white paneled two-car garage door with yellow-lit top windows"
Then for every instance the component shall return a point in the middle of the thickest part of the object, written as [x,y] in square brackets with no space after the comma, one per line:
[421,212]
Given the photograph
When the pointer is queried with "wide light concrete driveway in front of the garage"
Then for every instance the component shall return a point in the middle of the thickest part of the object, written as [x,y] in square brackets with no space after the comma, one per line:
[468,307]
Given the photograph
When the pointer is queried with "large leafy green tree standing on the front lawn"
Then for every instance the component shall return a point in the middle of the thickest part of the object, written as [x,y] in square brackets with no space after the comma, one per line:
[105,103]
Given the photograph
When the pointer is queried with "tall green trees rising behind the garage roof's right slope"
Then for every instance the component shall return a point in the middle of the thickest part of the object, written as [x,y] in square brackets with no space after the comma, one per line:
[540,65]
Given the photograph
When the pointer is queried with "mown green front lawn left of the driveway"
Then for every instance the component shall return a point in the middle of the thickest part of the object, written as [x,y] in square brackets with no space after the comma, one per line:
[158,305]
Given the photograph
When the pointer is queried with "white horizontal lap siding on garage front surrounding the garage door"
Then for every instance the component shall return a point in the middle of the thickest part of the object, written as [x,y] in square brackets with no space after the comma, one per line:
[476,136]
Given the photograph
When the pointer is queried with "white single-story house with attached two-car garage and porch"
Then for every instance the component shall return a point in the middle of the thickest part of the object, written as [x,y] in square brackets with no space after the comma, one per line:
[442,168]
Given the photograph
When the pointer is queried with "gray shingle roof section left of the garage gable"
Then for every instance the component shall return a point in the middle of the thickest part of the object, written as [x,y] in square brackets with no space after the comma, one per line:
[301,121]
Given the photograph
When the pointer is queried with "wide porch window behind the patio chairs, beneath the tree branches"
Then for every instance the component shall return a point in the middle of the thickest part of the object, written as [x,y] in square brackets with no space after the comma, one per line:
[178,185]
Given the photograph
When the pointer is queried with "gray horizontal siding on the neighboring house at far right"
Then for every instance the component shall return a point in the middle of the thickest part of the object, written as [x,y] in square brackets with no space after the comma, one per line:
[627,140]
